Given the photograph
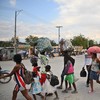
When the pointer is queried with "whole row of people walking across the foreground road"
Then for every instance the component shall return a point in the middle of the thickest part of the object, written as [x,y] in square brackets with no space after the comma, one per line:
[40,84]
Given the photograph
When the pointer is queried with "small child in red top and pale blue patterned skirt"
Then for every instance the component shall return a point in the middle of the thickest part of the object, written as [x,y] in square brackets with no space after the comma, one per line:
[36,87]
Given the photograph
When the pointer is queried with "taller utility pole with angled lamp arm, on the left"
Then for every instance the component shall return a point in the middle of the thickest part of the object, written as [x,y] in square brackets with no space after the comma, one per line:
[15,42]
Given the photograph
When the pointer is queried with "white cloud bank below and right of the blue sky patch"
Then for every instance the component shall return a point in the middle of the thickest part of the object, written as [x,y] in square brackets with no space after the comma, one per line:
[76,16]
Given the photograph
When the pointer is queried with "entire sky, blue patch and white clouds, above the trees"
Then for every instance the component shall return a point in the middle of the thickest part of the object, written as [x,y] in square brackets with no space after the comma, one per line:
[40,18]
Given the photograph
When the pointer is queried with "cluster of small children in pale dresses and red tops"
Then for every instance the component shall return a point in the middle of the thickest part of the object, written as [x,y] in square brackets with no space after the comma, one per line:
[41,83]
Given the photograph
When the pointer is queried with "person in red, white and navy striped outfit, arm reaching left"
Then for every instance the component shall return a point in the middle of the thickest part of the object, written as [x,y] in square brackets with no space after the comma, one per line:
[18,72]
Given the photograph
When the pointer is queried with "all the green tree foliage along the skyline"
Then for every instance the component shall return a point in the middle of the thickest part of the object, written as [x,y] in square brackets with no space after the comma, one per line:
[32,40]
